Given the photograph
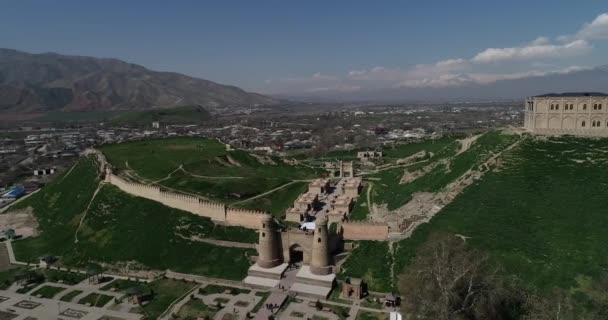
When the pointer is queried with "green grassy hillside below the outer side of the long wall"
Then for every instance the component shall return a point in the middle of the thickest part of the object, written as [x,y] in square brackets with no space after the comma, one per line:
[119,227]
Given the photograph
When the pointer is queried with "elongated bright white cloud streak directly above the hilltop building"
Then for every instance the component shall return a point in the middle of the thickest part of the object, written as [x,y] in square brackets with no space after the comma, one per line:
[532,51]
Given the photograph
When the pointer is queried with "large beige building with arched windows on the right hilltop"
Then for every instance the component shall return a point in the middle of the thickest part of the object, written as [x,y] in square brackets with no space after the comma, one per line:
[583,114]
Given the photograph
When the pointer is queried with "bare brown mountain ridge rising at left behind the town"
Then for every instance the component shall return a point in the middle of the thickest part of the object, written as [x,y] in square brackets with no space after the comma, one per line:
[51,81]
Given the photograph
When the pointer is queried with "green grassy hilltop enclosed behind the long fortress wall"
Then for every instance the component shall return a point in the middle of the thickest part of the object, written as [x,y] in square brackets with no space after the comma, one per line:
[208,169]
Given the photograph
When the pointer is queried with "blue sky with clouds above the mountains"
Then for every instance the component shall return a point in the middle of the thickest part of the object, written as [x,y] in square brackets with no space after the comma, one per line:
[314,46]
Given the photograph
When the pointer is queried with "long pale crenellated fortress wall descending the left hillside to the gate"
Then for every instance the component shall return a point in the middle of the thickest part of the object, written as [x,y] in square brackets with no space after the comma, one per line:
[216,211]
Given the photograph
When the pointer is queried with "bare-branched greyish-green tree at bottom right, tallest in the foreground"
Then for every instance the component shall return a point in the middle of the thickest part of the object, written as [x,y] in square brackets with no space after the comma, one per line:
[448,280]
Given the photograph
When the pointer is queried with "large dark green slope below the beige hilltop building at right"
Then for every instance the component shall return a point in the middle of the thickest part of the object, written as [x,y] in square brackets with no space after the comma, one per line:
[542,215]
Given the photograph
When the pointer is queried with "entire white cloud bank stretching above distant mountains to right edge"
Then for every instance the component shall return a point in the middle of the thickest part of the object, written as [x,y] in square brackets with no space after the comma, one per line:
[535,58]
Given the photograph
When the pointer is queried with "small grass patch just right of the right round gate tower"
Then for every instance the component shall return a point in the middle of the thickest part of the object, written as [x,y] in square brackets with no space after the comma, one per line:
[371,261]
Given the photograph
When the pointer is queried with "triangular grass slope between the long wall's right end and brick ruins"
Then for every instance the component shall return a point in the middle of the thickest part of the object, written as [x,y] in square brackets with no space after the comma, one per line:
[279,201]
